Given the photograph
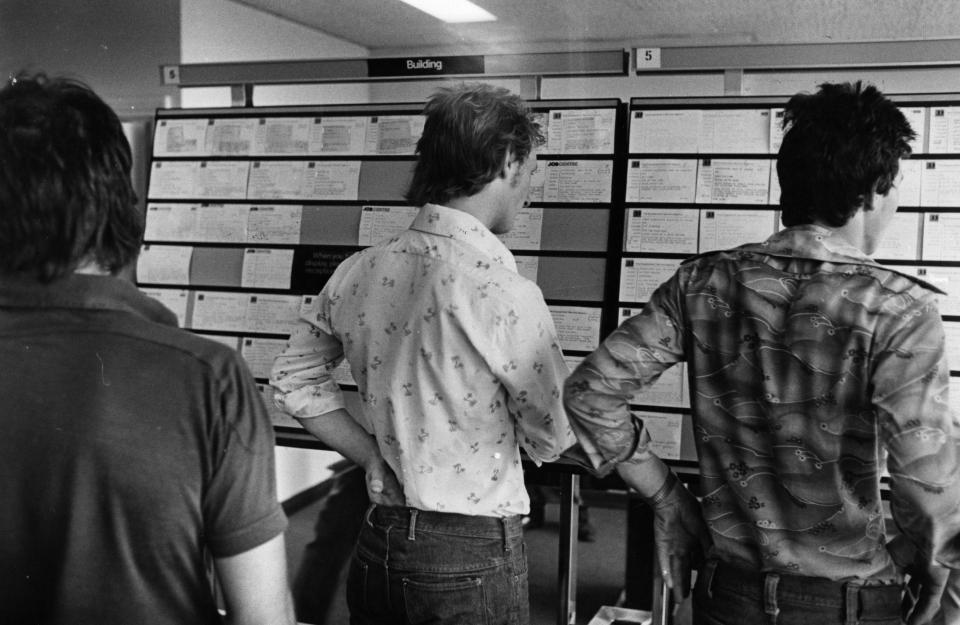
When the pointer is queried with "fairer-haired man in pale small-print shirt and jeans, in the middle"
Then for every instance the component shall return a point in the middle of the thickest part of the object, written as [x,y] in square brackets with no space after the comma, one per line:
[457,365]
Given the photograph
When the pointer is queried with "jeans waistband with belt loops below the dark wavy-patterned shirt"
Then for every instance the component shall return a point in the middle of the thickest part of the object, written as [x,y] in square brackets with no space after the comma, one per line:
[728,595]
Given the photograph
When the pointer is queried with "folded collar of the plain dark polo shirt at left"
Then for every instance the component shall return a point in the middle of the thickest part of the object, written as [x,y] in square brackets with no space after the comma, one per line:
[86,291]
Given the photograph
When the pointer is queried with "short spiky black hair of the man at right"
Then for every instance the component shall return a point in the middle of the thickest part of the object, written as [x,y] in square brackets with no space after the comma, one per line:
[841,144]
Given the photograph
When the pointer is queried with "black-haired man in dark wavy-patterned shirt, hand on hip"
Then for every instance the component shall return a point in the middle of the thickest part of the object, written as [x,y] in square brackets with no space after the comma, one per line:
[810,367]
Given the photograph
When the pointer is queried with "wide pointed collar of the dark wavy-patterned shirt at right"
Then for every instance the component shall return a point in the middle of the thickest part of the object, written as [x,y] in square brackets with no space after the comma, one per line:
[812,242]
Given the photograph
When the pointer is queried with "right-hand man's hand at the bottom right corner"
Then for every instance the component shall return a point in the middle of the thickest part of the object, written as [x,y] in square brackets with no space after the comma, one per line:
[925,586]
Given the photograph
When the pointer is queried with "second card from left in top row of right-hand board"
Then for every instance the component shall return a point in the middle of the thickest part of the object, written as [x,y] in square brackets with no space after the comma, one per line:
[743,131]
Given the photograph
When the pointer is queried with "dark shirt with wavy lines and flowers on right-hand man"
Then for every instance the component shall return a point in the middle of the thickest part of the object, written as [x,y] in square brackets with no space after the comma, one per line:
[811,368]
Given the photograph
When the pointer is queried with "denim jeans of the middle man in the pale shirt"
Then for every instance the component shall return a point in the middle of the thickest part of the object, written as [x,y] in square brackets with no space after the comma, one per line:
[414,566]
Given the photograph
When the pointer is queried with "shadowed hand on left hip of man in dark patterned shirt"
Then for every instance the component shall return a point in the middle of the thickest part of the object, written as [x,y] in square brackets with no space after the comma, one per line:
[680,534]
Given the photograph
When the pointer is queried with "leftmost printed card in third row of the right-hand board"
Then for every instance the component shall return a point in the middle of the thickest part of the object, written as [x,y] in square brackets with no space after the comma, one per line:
[662,230]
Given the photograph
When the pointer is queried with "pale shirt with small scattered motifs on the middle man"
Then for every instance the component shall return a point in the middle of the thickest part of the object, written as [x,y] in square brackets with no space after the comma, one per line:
[455,357]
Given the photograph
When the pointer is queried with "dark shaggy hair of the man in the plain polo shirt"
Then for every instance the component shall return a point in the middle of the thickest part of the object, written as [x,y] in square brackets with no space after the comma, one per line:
[65,192]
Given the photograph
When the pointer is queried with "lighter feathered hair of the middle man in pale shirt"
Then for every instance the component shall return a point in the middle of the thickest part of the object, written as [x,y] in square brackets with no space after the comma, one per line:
[468,133]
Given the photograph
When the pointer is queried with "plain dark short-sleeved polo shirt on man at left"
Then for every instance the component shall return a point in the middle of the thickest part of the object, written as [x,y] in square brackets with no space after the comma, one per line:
[128,448]
